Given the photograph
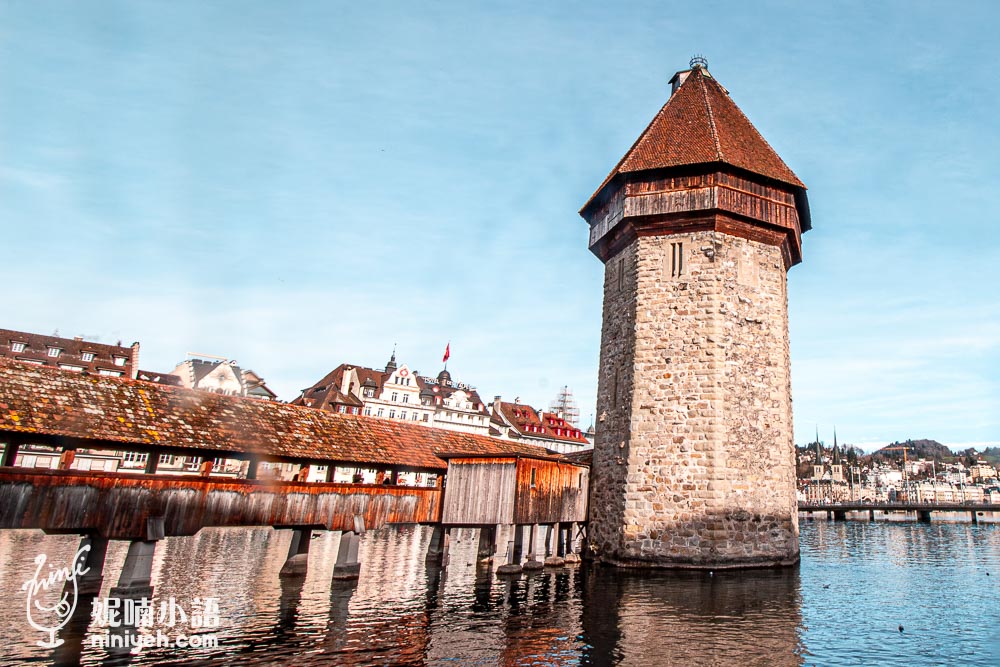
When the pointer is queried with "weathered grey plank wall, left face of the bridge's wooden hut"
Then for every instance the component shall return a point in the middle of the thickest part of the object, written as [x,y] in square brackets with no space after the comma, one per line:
[480,492]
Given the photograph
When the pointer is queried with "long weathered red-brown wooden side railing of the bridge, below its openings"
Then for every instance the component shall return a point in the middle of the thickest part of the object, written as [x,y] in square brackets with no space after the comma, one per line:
[129,506]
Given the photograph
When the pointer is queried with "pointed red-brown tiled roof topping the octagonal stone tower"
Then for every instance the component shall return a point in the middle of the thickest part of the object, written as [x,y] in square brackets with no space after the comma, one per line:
[700,124]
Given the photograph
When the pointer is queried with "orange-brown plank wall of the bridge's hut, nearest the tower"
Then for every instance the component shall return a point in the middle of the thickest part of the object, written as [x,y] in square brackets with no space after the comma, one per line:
[550,492]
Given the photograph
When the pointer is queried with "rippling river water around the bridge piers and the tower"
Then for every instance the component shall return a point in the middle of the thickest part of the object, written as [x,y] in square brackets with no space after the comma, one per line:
[857,585]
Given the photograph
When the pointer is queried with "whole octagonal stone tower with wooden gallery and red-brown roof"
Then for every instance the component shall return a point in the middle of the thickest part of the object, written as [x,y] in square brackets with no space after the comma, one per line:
[694,463]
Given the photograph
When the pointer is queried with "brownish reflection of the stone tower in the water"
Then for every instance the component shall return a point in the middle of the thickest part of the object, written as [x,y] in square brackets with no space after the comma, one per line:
[745,618]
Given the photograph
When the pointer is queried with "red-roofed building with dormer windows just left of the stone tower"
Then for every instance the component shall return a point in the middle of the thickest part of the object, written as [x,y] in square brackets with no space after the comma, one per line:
[517,421]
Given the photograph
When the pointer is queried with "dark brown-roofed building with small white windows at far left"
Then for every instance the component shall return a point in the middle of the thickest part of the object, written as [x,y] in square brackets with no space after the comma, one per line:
[70,354]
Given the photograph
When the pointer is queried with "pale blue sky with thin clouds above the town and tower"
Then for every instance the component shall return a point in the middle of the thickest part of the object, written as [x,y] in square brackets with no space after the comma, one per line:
[295,185]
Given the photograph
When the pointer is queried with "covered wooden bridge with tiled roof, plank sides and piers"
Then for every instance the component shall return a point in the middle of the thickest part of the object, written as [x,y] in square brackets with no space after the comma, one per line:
[71,412]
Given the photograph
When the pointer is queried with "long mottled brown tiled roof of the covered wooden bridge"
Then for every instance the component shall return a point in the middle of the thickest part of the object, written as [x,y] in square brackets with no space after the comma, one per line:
[121,412]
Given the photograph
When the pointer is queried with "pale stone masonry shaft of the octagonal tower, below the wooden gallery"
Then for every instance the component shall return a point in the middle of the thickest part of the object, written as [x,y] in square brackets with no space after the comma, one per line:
[694,460]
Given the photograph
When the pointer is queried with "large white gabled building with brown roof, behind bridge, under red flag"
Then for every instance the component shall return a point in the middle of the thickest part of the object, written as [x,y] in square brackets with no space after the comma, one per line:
[401,394]
